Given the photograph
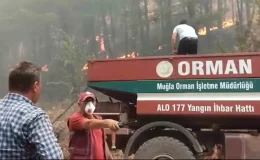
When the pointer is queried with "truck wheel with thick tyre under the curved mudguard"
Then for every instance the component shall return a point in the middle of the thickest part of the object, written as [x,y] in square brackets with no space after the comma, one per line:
[163,148]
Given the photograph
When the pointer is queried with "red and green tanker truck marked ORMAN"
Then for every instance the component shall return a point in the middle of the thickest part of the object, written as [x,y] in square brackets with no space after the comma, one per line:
[182,107]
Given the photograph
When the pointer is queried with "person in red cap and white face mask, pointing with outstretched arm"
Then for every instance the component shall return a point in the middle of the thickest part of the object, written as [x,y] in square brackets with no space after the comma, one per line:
[87,139]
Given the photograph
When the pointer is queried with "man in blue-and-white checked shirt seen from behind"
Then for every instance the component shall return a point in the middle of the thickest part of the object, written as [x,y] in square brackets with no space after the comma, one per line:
[25,130]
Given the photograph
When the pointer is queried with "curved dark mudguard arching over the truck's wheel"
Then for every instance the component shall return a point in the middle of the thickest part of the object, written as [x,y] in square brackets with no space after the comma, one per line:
[197,147]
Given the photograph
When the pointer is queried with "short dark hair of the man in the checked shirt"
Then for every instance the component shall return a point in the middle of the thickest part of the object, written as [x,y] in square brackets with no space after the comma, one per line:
[23,76]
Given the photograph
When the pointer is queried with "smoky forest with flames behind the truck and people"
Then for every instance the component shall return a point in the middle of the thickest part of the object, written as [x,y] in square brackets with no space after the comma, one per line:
[64,34]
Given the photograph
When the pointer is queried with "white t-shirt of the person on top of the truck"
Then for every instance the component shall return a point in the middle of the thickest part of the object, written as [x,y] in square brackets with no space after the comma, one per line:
[184,30]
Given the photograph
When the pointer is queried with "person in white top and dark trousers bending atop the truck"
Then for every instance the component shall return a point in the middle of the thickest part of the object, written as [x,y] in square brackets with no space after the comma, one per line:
[188,39]
